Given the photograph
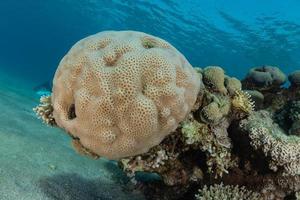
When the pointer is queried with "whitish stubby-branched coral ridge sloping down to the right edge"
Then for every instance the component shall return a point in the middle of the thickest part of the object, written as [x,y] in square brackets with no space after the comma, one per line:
[267,136]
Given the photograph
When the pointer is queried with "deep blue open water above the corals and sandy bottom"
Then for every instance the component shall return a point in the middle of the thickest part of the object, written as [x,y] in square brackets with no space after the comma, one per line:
[237,35]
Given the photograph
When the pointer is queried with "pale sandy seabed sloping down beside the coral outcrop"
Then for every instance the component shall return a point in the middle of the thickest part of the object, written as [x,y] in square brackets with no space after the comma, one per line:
[37,162]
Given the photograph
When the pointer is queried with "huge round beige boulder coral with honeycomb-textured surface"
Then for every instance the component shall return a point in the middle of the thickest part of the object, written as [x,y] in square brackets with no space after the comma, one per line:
[120,93]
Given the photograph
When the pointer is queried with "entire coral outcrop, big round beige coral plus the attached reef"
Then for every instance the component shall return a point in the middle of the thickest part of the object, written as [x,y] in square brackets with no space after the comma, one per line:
[134,98]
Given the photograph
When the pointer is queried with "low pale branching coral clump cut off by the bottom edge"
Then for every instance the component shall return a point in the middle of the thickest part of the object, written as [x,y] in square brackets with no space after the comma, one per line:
[227,192]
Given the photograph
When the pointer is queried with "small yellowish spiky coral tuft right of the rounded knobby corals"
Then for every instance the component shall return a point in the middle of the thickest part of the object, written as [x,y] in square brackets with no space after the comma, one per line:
[241,101]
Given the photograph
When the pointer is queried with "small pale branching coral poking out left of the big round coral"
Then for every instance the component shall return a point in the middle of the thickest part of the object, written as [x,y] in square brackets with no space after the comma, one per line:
[44,110]
